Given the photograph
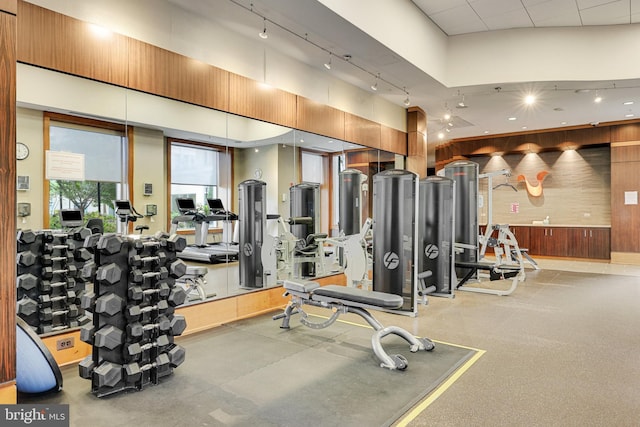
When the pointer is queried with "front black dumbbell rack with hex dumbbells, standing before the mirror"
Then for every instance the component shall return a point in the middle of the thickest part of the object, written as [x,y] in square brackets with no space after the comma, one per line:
[133,304]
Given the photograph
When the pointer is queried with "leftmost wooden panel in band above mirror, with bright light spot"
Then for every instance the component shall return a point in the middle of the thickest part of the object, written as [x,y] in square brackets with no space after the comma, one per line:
[58,42]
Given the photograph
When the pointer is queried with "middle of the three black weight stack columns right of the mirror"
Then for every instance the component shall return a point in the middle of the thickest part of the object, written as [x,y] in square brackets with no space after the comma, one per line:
[435,233]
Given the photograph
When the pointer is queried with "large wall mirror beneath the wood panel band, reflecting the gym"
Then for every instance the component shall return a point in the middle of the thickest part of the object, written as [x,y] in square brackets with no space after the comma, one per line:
[288,180]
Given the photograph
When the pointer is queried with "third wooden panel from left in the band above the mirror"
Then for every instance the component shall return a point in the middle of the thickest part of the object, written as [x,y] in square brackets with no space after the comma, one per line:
[249,98]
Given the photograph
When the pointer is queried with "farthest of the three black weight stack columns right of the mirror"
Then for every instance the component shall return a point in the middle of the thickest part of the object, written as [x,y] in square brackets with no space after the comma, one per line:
[465,175]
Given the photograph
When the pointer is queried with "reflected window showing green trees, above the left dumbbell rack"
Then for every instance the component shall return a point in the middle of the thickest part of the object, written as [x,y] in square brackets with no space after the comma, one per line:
[105,178]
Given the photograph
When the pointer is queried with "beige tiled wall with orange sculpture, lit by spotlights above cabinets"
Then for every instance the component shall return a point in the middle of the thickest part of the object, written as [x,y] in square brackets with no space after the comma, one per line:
[577,190]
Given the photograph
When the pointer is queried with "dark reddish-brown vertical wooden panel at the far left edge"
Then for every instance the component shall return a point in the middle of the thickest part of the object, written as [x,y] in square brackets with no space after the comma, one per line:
[8,33]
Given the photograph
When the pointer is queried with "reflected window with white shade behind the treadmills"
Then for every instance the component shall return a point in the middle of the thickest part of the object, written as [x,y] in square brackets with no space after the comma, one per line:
[195,173]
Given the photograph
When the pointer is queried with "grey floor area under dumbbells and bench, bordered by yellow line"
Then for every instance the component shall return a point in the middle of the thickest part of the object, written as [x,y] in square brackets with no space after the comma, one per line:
[253,373]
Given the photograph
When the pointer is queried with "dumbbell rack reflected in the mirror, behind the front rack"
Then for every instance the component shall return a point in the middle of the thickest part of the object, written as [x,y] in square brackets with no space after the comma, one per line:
[51,278]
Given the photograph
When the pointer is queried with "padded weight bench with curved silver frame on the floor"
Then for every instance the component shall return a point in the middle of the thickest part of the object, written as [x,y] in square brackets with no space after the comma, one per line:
[342,300]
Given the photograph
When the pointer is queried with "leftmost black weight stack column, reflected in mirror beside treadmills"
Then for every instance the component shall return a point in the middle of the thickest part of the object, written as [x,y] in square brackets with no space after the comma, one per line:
[252,221]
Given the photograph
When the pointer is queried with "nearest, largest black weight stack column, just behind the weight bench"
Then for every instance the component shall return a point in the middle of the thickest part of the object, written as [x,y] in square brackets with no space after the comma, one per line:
[394,235]
